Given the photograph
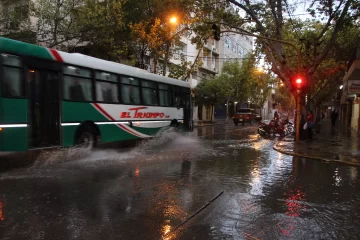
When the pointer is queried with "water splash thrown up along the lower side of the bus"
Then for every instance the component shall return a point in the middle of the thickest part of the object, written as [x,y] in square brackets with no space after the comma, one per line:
[167,144]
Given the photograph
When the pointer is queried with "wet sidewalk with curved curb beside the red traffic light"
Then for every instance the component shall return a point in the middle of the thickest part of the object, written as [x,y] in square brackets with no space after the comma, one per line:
[335,145]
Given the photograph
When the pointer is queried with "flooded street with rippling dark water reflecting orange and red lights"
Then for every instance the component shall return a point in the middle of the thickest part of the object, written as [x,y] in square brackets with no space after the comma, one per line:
[161,189]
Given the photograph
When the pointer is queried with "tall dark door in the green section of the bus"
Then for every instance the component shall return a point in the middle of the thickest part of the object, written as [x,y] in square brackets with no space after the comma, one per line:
[44,106]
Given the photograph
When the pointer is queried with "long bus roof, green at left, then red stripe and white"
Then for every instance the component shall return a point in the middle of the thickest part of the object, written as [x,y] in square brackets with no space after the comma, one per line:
[21,48]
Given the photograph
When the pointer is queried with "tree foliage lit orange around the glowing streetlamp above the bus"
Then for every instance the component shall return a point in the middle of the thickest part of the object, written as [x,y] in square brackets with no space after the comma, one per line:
[151,32]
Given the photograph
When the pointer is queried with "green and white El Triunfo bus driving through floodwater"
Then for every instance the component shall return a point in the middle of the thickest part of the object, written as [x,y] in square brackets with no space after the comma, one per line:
[51,98]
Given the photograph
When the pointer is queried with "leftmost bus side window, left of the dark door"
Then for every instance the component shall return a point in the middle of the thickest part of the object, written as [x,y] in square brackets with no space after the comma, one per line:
[12,83]
